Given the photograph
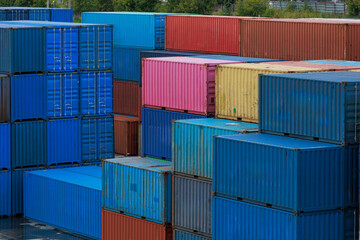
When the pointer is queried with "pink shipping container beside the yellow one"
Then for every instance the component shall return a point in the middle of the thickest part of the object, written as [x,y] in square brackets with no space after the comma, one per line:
[180,84]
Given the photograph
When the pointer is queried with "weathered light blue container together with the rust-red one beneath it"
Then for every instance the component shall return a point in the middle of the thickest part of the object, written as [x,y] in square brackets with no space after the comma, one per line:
[136,199]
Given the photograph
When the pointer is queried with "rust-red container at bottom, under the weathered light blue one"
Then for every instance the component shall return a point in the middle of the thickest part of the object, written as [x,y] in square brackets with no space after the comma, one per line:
[116,226]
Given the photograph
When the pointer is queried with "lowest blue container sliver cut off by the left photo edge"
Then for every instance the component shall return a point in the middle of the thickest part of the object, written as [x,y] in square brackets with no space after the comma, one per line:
[5,193]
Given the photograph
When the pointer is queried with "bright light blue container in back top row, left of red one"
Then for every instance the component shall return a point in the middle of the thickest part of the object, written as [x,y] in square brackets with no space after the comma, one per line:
[132,29]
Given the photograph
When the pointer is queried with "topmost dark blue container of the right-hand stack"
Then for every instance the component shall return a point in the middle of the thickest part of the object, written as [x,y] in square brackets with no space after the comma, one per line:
[317,106]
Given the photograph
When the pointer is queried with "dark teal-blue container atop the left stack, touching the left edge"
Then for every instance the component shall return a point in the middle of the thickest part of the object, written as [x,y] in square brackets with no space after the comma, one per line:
[22,49]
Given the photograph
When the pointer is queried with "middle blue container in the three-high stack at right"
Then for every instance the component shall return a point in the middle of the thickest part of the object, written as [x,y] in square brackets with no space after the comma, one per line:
[286,173]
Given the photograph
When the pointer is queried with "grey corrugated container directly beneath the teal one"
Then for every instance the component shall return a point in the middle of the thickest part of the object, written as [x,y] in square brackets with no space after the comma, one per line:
[192,208]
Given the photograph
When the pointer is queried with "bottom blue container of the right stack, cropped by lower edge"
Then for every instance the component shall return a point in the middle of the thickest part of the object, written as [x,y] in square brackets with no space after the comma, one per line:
[238,220]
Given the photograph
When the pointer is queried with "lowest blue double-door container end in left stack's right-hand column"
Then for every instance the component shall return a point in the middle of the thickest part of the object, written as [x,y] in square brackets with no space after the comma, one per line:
[97,138]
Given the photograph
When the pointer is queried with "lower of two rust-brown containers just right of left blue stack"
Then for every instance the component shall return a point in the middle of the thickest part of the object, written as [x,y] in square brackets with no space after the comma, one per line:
[126,132]
